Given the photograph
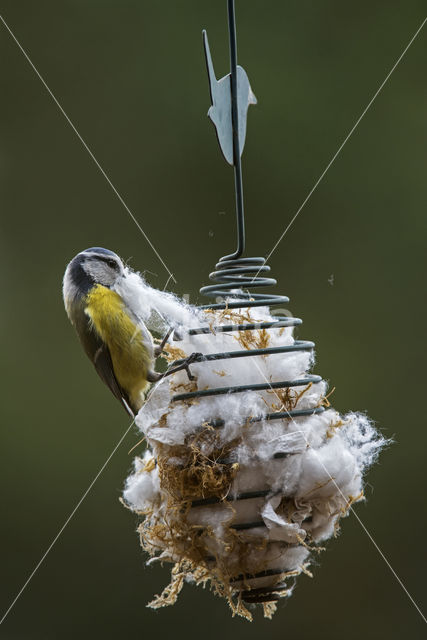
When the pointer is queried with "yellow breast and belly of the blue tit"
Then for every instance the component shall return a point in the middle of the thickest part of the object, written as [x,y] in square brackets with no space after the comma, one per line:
[130,356]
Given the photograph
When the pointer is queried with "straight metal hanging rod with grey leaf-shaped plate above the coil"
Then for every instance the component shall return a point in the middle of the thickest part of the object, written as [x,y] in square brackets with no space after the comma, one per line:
[231,97]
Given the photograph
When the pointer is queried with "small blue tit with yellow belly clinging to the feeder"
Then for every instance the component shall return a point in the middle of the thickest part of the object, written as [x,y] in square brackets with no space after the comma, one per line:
[118,343]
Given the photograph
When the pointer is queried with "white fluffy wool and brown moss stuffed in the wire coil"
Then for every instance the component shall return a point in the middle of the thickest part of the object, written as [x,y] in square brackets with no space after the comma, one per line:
[308,468]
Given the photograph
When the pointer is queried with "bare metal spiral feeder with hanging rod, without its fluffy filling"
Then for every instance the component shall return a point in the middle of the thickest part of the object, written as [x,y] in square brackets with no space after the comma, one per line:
[233,276]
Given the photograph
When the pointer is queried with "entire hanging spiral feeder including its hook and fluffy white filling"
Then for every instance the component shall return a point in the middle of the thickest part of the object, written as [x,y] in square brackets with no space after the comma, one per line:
[227,497]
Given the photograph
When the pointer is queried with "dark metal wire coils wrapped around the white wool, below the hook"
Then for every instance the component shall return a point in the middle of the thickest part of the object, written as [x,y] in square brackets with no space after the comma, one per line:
[232,281]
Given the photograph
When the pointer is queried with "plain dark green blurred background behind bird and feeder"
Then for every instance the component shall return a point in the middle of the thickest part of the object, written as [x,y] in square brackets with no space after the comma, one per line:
[131,76]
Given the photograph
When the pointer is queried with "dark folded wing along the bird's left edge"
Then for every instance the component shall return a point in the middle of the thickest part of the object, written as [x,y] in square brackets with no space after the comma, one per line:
[100,356]
